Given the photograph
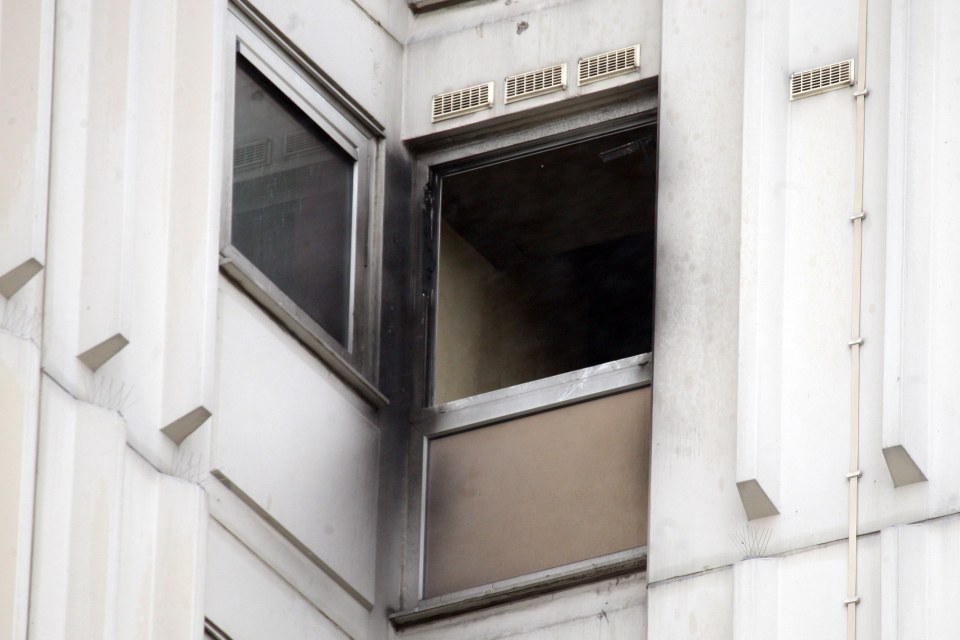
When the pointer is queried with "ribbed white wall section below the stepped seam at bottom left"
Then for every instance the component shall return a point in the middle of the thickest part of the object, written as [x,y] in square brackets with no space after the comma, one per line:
[102,513]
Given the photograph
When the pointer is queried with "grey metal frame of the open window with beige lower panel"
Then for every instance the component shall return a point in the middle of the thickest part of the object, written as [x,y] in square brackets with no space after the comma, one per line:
[431,421]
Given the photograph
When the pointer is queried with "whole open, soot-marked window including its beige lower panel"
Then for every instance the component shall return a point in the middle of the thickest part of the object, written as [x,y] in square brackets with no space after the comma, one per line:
[536,407]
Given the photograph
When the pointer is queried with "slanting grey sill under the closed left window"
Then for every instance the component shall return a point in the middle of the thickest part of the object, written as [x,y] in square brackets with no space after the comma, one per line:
[294,320]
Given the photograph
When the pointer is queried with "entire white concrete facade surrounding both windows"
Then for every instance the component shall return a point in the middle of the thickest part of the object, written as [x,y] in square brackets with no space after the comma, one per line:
[112,181]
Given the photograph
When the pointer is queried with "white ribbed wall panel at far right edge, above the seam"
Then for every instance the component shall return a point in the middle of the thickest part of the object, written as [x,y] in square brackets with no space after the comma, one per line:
[922,301]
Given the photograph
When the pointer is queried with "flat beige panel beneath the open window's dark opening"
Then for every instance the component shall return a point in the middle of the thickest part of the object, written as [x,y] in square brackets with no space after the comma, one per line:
[538,492]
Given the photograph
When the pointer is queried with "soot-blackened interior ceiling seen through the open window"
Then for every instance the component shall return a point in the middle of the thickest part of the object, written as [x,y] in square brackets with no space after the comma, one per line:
[557,200]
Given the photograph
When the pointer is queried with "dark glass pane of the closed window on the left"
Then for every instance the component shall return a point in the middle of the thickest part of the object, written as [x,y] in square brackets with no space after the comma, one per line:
[292,201]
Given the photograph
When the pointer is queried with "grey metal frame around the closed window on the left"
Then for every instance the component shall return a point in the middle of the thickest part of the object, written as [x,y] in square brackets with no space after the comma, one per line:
[356,362]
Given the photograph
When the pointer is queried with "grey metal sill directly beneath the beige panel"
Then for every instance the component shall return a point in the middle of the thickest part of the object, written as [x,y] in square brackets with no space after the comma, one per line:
[531,585]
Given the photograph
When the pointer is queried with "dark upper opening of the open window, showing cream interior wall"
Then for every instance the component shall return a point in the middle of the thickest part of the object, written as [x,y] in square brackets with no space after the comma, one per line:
[546,263]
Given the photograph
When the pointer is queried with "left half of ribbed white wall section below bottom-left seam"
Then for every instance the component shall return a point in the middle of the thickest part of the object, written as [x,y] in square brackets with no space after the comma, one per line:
[75,553]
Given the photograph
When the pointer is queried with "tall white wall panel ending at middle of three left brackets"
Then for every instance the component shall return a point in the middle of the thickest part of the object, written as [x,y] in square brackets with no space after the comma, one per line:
[88,204]
